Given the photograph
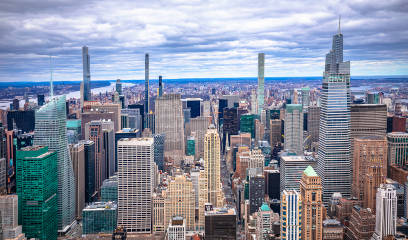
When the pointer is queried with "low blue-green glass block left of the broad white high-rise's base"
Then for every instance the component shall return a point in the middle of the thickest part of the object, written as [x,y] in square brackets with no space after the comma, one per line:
[99,217]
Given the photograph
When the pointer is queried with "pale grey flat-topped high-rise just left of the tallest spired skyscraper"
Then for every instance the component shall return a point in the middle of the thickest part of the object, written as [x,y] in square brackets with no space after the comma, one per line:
[294,129]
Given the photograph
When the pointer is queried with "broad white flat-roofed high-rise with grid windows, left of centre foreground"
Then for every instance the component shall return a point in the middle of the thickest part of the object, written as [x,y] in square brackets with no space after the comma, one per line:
[135,161]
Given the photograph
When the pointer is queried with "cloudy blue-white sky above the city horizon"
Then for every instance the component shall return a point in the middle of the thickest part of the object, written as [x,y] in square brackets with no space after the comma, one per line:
[192,38]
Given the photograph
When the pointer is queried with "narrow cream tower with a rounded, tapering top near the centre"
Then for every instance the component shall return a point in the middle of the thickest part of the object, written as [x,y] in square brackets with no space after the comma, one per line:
[212,161]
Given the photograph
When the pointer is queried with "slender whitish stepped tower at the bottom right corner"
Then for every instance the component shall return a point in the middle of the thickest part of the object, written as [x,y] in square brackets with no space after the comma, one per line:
[386,212]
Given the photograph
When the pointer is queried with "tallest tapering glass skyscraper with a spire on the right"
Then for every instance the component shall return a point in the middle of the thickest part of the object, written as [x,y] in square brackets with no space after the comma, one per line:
[334,162]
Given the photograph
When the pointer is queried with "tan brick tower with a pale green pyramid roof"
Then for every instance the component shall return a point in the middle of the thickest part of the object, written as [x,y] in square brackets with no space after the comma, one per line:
[312,205]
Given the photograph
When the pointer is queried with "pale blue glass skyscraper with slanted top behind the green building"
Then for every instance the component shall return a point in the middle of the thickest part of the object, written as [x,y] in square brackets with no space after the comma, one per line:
[51,131]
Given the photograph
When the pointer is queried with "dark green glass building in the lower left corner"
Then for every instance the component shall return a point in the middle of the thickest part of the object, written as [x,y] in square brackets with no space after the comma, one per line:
[37,192]
